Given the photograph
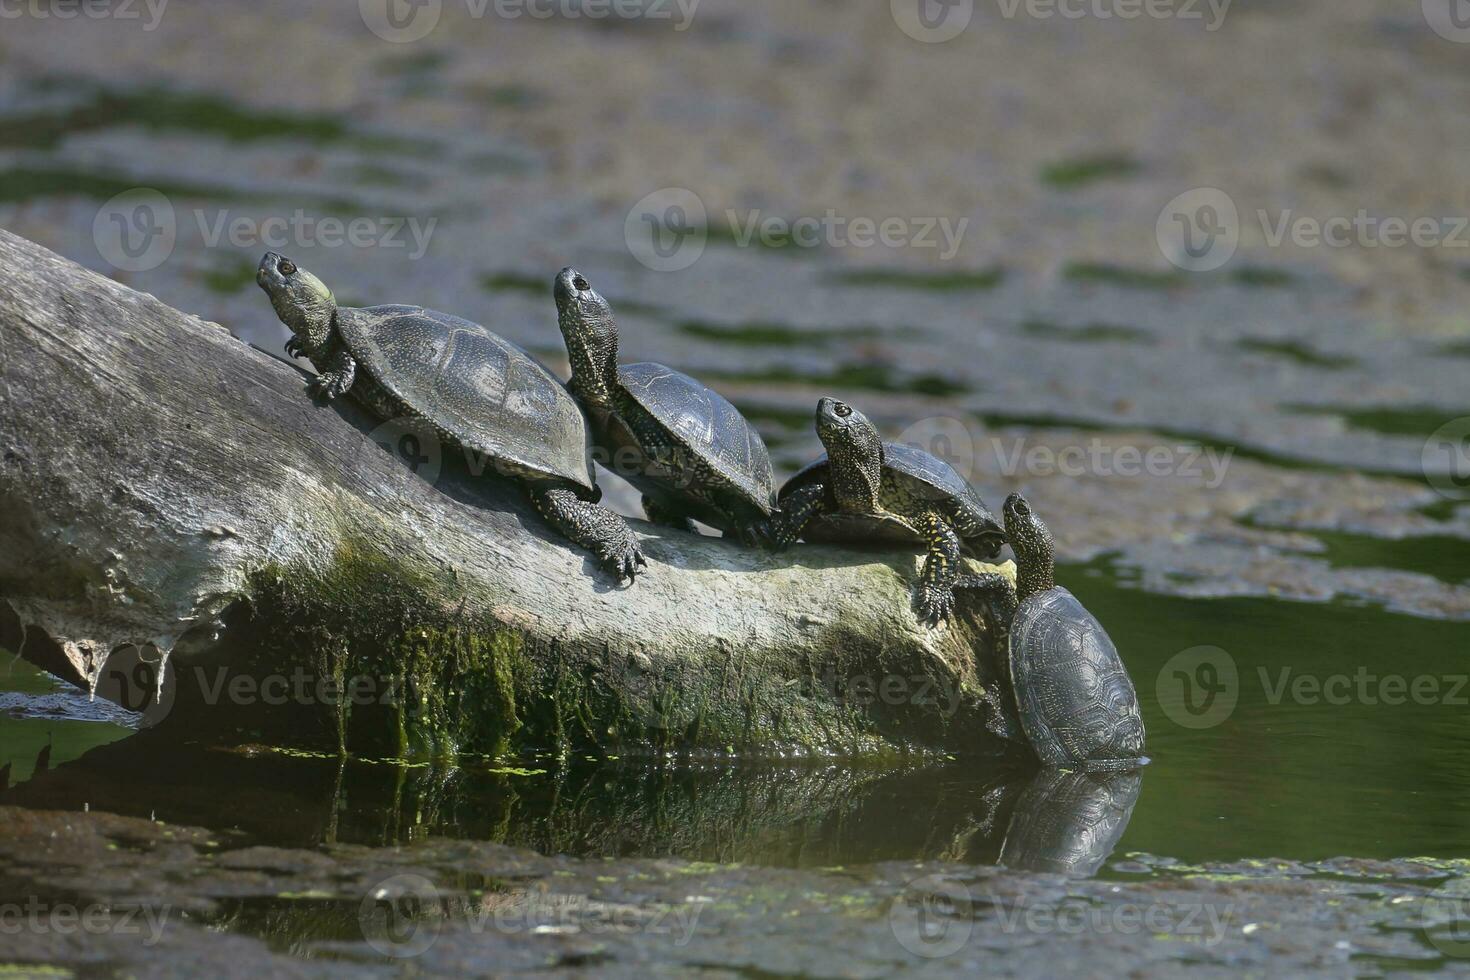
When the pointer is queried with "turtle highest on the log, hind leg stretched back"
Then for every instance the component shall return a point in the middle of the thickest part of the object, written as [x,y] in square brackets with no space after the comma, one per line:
[477,390]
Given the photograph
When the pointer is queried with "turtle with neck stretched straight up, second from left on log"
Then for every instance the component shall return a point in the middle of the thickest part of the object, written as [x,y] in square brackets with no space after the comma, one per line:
[689,450]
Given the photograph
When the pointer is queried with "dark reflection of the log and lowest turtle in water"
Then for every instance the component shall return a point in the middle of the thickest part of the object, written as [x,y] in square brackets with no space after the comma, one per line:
[756,815]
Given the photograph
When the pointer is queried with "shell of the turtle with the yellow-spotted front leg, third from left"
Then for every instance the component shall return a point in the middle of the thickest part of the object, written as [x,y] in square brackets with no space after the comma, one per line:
[918,474]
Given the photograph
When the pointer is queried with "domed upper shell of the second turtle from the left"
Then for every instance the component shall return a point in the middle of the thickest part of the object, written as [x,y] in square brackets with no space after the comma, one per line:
[706,424]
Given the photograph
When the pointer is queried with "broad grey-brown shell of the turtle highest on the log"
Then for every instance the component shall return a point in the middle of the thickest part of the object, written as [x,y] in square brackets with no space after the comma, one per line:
[476,387]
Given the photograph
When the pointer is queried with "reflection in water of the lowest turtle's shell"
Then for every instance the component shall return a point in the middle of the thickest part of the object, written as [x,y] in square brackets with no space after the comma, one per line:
[1069,822]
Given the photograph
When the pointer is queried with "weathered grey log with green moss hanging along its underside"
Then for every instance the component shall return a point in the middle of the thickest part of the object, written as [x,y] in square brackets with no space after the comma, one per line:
[161,478]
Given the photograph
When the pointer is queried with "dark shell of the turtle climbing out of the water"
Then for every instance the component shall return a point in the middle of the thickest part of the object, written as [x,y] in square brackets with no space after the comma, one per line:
[1077,702]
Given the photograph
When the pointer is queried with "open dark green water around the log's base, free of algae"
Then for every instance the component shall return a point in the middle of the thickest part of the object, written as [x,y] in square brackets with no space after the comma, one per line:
[1297,769]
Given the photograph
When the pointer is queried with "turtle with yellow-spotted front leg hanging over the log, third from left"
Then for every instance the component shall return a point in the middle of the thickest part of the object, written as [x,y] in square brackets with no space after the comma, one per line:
[867,490]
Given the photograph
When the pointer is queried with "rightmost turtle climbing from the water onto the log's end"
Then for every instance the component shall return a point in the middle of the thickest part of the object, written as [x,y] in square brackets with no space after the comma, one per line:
[1077,703]
